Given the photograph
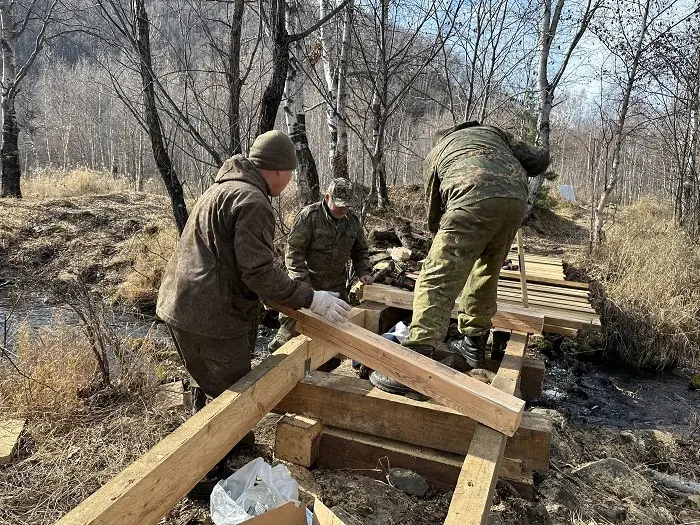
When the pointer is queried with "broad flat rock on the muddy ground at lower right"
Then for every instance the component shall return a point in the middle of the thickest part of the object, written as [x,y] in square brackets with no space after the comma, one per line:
[615,477]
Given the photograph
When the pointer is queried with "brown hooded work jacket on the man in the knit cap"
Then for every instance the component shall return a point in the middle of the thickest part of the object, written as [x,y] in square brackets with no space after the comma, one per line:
[224,263]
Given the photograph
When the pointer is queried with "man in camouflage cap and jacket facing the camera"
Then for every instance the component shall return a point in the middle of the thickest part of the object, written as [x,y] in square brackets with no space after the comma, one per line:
[324,236]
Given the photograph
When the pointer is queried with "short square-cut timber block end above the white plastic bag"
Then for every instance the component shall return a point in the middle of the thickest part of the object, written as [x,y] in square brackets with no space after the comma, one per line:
[297,439]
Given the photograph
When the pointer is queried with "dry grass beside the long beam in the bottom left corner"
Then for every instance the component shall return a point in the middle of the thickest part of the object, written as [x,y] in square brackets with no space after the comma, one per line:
[74,441]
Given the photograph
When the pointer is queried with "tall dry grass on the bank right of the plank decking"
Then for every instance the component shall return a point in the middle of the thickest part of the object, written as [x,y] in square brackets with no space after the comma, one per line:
[650,271]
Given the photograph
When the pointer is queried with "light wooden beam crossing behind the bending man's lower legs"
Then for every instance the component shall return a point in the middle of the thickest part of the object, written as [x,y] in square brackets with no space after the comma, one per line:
[507,316]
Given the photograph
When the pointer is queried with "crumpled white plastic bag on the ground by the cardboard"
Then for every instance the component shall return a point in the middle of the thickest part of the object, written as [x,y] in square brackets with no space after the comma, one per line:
[253,489]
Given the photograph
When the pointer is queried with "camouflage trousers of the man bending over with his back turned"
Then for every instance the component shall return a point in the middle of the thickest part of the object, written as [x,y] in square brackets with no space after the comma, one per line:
[465,258]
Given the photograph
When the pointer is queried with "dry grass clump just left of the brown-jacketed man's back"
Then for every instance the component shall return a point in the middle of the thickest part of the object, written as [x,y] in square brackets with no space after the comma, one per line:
[151,251]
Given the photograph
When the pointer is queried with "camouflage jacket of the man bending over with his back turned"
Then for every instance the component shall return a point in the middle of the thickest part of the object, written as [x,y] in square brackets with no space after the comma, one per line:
[471,162]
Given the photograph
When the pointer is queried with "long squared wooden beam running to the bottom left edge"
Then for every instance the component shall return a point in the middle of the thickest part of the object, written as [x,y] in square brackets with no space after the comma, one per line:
[144,492]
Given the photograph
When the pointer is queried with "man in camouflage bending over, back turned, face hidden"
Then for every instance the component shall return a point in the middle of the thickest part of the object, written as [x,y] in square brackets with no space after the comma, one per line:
[476,191]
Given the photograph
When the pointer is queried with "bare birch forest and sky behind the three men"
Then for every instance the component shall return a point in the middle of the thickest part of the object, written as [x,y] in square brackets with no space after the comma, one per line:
[153,90]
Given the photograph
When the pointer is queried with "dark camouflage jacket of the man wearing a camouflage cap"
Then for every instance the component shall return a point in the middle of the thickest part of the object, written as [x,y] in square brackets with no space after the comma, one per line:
[319,246]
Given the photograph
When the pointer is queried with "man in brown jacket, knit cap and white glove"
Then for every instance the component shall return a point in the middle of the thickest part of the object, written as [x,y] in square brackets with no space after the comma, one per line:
[224,266]
